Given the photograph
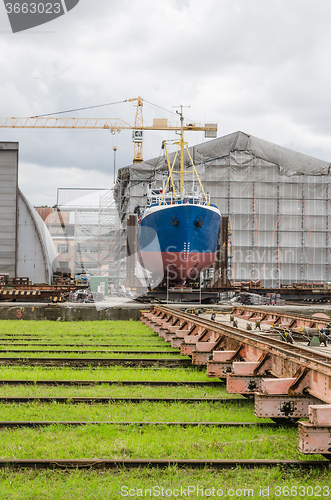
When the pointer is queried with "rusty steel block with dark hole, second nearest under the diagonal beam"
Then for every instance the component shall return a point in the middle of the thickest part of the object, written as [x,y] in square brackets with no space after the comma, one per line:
[283,406]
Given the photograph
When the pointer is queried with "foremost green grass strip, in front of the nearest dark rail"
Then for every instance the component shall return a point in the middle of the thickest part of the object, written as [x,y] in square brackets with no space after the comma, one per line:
[99,485]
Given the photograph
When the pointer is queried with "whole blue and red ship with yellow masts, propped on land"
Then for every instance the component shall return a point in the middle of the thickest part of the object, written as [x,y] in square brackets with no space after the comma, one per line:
[178,230]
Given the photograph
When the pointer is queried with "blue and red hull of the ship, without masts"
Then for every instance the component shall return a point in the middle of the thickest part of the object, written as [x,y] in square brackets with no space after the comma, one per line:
[178,241]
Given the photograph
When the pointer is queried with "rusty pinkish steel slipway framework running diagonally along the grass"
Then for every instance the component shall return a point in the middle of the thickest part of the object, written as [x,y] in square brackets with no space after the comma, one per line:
[279,372]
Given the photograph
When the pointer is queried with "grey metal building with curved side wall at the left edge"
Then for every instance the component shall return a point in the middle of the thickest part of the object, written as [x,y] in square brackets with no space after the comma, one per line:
[26,247]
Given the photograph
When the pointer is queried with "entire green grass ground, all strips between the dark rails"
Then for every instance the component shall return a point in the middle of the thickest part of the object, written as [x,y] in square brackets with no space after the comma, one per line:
[131,442]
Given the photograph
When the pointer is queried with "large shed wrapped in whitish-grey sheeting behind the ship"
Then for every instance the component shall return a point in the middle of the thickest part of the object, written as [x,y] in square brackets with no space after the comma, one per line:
[277,201]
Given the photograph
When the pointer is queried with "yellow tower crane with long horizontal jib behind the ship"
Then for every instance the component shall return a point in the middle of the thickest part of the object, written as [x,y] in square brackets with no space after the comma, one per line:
[112,124]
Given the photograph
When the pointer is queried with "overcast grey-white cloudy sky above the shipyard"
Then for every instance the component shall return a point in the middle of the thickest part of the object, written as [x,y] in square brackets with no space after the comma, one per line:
[260,66]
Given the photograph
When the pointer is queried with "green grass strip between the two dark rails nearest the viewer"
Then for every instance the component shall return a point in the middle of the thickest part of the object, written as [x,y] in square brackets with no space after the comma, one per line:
[158,442]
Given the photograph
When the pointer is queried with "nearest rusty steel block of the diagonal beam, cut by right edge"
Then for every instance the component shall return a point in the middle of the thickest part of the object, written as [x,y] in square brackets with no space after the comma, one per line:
[315,435]
